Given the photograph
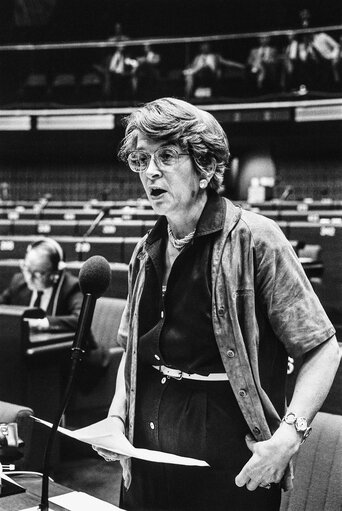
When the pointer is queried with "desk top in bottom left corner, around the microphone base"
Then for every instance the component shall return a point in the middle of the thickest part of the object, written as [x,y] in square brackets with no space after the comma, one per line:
[32,495]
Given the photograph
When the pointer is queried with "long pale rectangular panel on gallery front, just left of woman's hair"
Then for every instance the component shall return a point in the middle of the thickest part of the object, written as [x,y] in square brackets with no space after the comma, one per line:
[76,122]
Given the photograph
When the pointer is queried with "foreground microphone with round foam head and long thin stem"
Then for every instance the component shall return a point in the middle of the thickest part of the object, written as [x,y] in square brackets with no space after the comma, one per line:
[94,278]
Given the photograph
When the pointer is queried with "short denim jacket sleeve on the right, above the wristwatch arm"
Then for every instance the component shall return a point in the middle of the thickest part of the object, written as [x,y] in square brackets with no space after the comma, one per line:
[294,310]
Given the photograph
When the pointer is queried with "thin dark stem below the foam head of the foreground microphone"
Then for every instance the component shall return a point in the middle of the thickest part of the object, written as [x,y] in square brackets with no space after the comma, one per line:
[77,352]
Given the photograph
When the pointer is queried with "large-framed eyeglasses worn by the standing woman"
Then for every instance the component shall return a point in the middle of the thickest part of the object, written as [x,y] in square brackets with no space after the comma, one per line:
[164,157]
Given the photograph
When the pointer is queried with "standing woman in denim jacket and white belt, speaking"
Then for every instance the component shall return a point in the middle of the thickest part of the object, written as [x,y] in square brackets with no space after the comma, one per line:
[217,298]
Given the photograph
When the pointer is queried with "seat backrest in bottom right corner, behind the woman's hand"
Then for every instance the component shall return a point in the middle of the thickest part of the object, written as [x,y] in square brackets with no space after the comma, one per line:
[318,469]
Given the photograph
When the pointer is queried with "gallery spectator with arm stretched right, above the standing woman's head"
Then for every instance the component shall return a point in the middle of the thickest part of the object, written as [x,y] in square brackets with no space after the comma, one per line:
[206,70]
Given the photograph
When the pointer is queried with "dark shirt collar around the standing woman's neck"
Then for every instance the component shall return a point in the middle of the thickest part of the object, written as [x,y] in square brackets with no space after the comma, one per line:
[211,219]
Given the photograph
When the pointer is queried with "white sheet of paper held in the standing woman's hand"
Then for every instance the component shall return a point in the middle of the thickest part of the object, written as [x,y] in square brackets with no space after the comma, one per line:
[108,435]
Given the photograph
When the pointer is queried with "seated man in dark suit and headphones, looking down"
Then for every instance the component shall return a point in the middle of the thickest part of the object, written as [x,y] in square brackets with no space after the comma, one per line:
[45,283]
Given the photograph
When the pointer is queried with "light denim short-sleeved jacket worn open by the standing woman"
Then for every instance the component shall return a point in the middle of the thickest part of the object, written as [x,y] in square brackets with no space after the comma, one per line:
[254,267]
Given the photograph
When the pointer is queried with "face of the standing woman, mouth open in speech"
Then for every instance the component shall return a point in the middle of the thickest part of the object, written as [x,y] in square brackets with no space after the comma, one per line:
[174,191]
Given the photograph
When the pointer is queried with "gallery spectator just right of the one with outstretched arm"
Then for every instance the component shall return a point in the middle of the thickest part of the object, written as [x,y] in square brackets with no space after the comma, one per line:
[262,66]
